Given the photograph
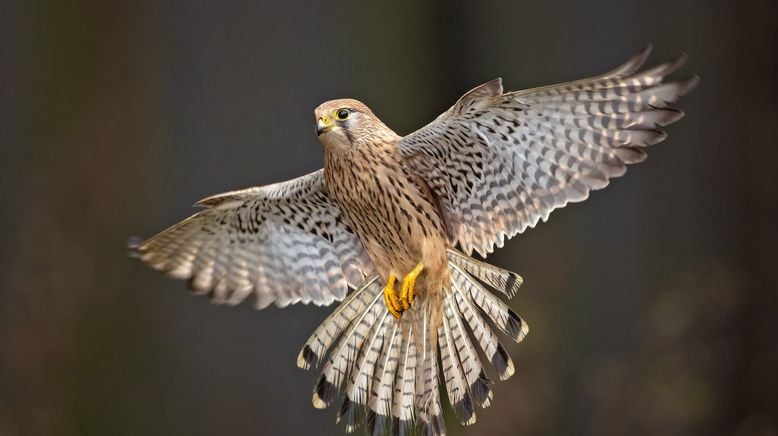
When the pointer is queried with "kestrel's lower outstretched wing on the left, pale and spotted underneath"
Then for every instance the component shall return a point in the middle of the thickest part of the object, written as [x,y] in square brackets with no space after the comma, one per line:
[283,243]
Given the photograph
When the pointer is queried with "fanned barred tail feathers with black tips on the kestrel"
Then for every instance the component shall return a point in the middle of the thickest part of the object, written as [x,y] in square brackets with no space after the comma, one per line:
[389,372]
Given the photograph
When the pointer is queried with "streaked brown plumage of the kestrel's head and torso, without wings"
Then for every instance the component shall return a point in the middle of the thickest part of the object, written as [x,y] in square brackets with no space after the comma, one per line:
[392,211]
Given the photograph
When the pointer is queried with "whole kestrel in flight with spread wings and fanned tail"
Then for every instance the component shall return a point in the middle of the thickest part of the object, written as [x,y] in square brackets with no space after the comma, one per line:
[390,225]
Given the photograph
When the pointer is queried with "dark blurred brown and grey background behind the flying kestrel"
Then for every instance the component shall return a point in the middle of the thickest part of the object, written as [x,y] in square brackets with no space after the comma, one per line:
[652,305]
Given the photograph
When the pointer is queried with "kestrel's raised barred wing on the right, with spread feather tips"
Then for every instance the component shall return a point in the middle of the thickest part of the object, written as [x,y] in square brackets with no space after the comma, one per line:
[499,162]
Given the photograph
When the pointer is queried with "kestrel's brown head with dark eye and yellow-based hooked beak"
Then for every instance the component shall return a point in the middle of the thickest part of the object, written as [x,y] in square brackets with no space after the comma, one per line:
[346,123]
